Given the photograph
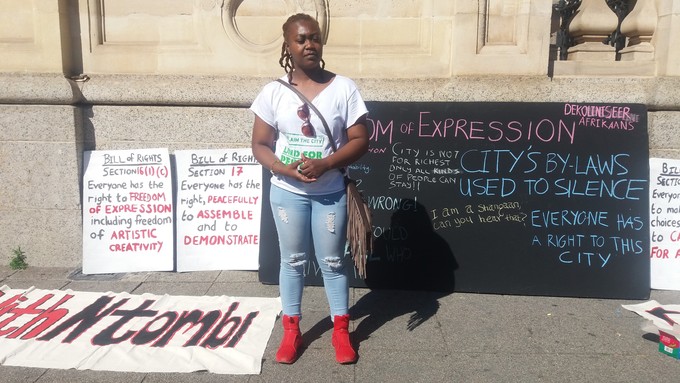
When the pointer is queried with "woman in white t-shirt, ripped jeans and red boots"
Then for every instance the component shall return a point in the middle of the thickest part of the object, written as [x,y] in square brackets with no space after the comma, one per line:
[307,195]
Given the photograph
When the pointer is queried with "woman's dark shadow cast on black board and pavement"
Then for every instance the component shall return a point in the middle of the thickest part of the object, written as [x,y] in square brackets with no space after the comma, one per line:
[411,269]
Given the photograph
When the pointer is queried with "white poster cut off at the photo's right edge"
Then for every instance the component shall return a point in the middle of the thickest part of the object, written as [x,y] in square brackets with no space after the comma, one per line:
[664,200]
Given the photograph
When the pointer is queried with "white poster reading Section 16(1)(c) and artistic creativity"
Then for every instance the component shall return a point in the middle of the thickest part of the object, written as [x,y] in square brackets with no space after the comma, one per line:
[127,211]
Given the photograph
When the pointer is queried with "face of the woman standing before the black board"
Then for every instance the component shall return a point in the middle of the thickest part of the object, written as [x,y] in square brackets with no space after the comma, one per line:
[304,44]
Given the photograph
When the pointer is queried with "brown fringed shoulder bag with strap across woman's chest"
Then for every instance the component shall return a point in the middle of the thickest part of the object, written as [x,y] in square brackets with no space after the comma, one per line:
[359,221]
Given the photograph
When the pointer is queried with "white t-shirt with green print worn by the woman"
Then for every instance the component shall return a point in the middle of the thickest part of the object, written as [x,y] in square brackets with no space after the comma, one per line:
[341,105]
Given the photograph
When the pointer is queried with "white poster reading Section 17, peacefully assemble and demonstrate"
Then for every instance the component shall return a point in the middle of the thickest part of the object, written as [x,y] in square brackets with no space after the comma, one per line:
[218,209]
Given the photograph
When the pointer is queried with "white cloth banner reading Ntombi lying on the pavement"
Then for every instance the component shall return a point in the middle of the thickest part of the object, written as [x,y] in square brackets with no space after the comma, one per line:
[139,333]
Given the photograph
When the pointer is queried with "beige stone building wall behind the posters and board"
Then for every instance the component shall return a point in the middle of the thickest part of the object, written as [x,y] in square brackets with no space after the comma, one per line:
[81,75]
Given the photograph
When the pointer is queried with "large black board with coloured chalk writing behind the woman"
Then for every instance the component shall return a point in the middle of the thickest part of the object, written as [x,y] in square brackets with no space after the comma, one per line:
[510,198]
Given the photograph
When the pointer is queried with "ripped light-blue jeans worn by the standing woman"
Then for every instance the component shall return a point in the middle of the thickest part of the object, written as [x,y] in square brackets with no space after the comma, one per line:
[303,222]
